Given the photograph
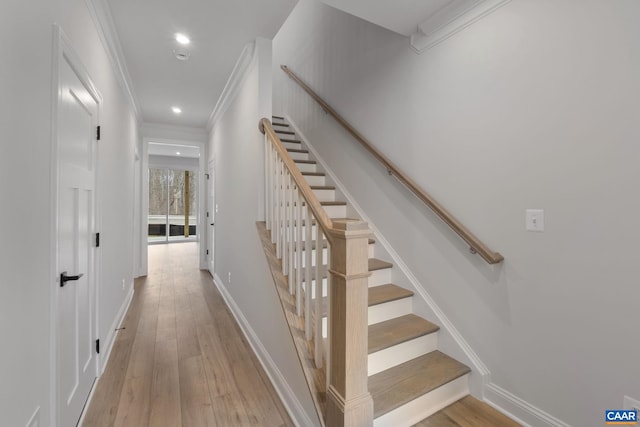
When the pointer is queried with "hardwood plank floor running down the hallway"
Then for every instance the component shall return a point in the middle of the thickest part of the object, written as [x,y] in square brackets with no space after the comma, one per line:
[181,359]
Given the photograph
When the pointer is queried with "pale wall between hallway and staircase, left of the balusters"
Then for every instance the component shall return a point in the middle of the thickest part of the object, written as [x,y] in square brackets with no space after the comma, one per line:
[236,146]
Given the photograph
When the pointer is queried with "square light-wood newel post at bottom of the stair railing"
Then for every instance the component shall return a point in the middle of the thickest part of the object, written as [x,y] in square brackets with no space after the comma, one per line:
[349,403]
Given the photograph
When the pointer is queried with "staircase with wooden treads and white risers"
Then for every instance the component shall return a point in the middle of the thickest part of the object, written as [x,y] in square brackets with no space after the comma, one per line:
[409,378]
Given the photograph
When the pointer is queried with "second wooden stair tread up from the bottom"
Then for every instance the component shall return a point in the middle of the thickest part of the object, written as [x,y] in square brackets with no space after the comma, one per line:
[398,330]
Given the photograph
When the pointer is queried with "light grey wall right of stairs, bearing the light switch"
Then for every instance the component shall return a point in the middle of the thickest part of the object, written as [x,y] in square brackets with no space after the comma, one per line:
[534,106]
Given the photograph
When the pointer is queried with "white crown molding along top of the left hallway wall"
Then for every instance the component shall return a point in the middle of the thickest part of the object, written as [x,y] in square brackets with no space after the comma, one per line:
[103,21]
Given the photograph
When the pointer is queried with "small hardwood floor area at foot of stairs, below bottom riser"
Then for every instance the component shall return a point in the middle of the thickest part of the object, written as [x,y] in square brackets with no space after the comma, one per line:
[468,411]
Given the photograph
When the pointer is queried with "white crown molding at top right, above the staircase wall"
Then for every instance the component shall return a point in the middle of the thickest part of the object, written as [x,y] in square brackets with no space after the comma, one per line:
[455,18]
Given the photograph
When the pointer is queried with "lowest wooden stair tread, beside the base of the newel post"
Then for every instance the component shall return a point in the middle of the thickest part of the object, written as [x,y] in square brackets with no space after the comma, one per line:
[403,383]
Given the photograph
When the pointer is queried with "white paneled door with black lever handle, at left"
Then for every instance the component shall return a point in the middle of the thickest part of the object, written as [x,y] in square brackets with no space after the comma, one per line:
[77,149]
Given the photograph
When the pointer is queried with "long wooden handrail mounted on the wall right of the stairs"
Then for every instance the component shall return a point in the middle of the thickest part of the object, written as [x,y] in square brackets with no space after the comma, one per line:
[474,243]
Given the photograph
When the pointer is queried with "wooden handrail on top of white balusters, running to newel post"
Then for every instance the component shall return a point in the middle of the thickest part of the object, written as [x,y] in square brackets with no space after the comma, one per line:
[307,193]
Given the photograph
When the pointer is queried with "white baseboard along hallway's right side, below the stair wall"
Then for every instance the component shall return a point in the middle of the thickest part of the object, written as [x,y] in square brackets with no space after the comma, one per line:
[288,397]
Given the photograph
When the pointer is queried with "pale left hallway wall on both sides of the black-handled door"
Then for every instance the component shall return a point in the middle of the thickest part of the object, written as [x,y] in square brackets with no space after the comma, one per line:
[26,283]
